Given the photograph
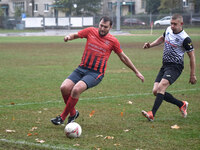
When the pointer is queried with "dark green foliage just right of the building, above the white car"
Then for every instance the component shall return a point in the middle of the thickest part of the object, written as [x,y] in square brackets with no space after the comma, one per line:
[152,6]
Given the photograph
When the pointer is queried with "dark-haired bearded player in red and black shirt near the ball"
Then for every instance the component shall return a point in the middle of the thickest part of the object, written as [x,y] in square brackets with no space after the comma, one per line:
[100,43]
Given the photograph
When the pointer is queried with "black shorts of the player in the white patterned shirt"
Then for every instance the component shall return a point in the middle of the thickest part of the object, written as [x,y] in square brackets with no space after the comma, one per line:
[170,72]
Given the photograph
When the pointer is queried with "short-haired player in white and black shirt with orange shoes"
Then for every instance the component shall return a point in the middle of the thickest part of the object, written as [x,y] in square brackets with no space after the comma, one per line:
[176,43]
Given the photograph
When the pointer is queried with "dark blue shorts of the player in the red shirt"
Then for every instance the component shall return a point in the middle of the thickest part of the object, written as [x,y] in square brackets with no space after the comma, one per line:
[90,77]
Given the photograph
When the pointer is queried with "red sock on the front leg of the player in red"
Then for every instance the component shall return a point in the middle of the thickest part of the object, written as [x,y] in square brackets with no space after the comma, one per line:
[71,102]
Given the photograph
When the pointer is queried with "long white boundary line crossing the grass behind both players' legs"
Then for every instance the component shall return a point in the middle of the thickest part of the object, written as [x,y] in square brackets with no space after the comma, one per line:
[97,98]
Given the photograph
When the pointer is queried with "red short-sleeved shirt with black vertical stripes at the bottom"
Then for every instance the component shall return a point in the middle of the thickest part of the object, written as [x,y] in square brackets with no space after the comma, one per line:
[97,49]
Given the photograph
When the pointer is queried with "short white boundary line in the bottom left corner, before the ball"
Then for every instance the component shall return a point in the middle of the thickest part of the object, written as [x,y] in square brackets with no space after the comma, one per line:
[35,144]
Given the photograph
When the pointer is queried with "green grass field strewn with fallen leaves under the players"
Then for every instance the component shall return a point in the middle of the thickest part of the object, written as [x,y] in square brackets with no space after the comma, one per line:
[33,68]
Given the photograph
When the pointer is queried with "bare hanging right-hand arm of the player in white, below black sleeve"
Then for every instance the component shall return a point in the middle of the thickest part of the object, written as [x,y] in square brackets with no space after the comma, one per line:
[193,78]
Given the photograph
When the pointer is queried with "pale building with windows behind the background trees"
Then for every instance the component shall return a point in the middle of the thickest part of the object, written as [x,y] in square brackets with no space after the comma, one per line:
[47,8]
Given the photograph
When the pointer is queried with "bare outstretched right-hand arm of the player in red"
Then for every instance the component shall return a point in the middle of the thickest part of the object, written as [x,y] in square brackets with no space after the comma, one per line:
[129,64]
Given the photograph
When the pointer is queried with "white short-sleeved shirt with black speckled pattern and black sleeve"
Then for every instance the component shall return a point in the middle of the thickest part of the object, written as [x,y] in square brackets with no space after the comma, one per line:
[175,46]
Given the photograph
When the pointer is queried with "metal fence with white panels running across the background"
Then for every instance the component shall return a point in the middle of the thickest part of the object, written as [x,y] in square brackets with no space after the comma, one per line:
[142,21]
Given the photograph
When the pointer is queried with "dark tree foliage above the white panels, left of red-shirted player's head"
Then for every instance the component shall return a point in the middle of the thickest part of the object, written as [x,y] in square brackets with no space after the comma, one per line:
[87,7]
